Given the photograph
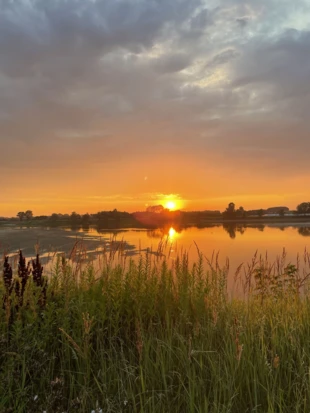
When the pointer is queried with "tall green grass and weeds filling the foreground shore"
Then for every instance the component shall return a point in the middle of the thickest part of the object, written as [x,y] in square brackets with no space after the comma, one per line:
[144,336]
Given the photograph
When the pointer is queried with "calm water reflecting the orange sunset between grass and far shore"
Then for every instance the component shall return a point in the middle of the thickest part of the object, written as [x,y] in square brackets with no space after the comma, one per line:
[238,243]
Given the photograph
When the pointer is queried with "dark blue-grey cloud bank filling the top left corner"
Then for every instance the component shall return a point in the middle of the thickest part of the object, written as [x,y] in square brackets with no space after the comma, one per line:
[58,43]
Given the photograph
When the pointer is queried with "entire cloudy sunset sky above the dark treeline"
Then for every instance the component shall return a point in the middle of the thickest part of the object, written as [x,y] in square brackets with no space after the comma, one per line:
[128,103]
